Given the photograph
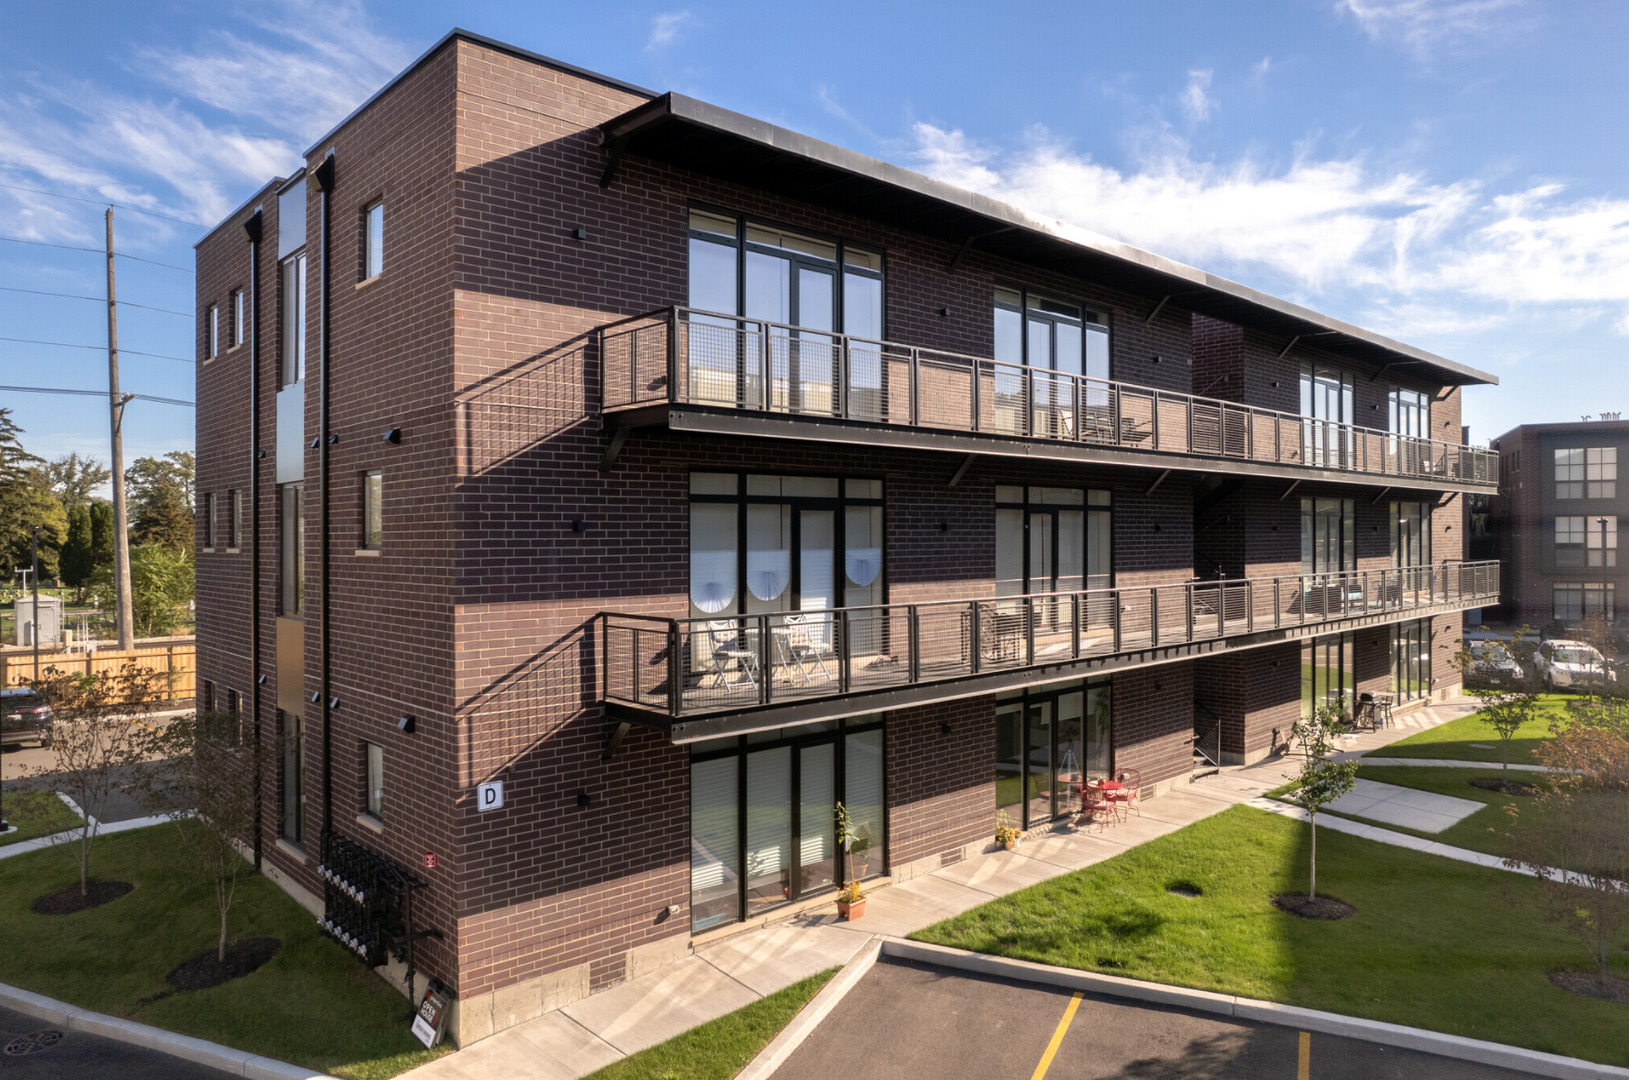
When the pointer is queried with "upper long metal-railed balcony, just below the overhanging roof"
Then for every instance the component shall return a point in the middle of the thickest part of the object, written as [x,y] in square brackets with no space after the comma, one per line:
[724,375]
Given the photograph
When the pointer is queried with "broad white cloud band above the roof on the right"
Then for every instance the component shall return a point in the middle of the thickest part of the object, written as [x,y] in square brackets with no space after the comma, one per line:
[1441,258]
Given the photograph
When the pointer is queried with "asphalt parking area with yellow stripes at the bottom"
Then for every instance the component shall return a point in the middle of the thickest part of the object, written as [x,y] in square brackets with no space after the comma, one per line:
[911,1021]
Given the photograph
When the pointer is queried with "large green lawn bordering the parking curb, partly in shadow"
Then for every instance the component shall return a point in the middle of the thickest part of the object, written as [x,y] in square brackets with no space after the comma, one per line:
[1436,944]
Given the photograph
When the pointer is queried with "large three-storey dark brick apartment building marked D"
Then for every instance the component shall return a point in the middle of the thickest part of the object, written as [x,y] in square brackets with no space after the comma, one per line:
[690,476]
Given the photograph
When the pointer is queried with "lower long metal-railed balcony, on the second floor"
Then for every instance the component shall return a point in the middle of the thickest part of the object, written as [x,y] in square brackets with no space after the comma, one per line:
[744,674]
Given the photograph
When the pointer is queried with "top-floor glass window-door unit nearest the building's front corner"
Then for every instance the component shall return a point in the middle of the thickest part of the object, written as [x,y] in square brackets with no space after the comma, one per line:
[807,289]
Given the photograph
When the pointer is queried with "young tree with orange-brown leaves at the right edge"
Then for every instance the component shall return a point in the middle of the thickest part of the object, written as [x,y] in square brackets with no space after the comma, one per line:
[1576,835]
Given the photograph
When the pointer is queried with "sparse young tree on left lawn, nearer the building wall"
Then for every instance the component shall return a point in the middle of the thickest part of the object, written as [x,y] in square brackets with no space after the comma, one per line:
[204,781]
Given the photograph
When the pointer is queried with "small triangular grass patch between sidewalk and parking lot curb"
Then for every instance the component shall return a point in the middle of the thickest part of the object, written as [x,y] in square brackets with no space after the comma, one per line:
[721,1048]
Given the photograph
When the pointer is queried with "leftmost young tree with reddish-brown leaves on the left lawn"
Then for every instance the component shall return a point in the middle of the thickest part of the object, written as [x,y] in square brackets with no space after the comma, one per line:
[95,742]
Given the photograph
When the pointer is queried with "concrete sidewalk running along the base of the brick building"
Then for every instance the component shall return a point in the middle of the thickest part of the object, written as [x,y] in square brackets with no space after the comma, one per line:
[727,973]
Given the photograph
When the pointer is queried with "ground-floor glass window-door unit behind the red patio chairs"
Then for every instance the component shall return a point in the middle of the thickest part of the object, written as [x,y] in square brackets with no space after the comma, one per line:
[1048,744]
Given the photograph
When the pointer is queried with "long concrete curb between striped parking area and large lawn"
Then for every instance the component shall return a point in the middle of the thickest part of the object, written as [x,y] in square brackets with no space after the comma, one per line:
[1400,1037]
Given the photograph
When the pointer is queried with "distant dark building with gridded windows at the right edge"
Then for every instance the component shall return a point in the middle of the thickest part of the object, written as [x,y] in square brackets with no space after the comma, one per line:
[1555,520]
